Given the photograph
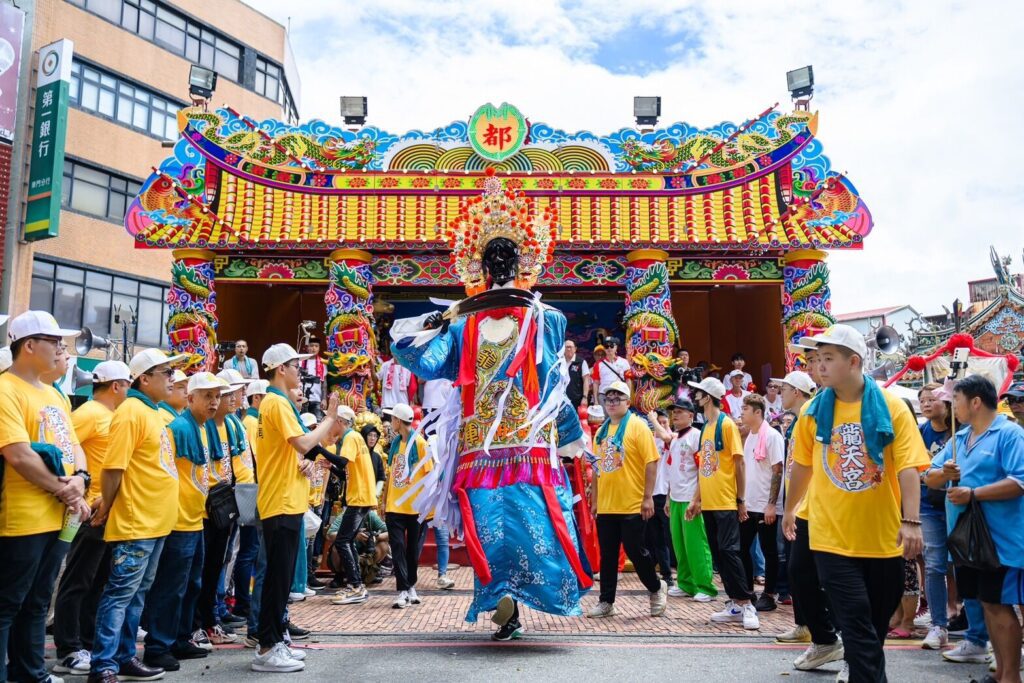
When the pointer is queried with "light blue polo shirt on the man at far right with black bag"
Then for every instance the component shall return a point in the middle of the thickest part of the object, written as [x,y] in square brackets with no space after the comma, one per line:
[997,455]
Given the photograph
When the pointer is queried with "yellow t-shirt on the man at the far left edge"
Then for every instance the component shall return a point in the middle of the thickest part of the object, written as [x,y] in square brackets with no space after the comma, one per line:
[31,414]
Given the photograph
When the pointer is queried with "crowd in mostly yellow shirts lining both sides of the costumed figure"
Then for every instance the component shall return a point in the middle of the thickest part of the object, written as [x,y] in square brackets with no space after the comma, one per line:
[823,493]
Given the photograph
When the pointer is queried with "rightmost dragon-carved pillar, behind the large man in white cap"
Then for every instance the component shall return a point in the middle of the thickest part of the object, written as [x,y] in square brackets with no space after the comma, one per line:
[806,298]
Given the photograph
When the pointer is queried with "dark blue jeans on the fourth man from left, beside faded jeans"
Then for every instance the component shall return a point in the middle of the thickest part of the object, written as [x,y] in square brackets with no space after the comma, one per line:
[172,606]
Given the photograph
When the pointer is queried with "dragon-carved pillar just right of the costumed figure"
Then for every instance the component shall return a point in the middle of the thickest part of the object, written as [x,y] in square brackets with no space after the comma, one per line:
[651,329]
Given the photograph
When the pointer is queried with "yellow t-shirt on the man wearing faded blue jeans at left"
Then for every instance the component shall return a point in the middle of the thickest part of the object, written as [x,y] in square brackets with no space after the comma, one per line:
[147,505]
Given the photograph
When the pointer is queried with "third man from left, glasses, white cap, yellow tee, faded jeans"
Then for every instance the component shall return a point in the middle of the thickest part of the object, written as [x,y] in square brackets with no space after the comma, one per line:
[140,504]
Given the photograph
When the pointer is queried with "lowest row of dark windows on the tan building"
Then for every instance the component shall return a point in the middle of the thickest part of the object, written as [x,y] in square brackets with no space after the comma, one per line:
[79,296]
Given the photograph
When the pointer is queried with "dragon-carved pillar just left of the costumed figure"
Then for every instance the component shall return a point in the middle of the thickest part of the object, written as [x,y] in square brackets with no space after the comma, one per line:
[352,344]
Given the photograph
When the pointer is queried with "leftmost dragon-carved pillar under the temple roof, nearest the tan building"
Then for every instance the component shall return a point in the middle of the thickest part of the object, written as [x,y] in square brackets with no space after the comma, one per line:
[192,325]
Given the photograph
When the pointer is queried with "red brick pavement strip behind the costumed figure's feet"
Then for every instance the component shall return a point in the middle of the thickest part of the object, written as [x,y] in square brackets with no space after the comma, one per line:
[445,612]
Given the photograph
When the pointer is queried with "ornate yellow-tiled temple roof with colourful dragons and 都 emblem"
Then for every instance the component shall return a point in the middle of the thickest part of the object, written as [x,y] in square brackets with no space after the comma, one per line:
[237,185]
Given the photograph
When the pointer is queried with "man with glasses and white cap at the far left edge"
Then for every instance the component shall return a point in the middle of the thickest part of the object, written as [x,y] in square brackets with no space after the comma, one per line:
[45,478]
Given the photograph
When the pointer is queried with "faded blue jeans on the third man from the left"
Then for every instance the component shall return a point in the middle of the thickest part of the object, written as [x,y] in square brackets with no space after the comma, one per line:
[134,569]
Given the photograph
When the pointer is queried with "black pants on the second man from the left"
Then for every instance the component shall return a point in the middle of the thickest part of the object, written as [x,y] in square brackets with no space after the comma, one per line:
[79,592]
